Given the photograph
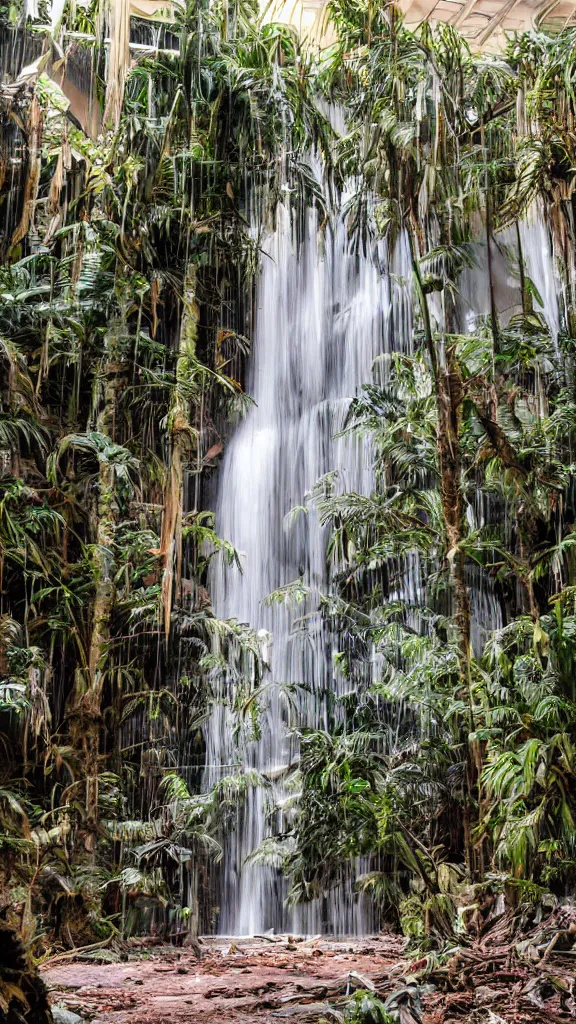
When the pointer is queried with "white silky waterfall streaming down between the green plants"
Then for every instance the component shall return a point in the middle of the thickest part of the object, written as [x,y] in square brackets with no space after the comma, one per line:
[324,317]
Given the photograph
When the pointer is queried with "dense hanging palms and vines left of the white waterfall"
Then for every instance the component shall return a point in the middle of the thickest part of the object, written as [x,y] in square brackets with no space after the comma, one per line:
[126,287]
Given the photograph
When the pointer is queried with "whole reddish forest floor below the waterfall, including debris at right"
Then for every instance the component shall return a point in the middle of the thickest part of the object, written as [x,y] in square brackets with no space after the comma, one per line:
[488,982]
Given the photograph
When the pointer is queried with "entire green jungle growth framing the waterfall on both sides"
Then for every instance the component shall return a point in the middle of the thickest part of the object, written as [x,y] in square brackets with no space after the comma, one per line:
[129,264]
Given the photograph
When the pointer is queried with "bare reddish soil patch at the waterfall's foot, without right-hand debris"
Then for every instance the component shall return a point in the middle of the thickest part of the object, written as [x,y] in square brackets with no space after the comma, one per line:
[245,983]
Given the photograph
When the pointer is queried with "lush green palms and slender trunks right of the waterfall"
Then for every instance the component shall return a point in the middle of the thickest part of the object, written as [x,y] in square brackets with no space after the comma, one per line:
[458,764]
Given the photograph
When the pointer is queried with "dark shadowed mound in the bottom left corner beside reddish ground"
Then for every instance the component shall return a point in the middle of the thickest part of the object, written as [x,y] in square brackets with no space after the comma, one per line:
[23,994]
